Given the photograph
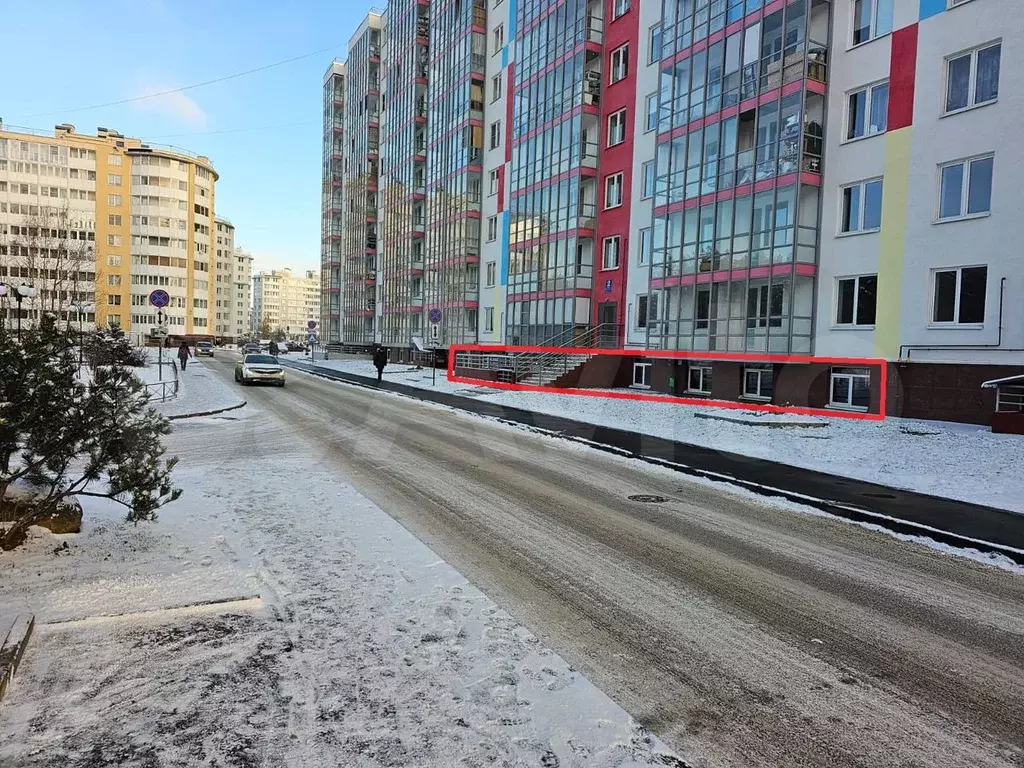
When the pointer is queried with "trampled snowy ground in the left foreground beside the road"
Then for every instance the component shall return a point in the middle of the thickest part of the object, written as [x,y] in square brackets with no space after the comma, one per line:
[363,649]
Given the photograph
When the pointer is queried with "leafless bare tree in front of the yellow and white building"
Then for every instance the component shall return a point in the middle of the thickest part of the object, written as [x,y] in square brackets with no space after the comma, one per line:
[54,249]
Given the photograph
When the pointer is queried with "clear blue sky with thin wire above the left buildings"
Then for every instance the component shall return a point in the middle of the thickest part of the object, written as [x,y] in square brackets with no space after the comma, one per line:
[262,132]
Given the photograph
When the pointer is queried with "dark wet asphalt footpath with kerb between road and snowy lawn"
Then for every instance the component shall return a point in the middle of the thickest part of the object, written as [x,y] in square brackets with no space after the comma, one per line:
[957,524]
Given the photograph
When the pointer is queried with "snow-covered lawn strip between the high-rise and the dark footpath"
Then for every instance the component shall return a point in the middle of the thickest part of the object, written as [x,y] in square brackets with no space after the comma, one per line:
[958,461]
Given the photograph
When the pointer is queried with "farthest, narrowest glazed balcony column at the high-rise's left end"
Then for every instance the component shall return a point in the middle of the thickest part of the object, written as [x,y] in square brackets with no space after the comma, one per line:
[333,203]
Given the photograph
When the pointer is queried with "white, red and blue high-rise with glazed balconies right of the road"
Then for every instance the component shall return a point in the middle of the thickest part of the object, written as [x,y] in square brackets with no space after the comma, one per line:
[797,178]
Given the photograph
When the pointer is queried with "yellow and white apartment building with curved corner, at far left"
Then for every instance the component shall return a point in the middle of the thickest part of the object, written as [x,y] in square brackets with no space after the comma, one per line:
[96,224]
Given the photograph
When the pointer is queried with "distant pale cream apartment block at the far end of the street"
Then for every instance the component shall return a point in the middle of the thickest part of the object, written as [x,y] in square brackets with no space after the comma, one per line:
[286,302]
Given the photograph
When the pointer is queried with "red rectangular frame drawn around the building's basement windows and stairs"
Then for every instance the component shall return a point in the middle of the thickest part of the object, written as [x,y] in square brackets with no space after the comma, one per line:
[672,355]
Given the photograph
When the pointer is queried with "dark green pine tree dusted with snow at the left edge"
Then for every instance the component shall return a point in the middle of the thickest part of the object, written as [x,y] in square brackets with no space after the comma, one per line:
[64,437]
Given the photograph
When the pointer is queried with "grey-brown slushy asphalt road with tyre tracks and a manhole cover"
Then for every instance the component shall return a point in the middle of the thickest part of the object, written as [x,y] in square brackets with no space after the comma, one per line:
[744,634]
